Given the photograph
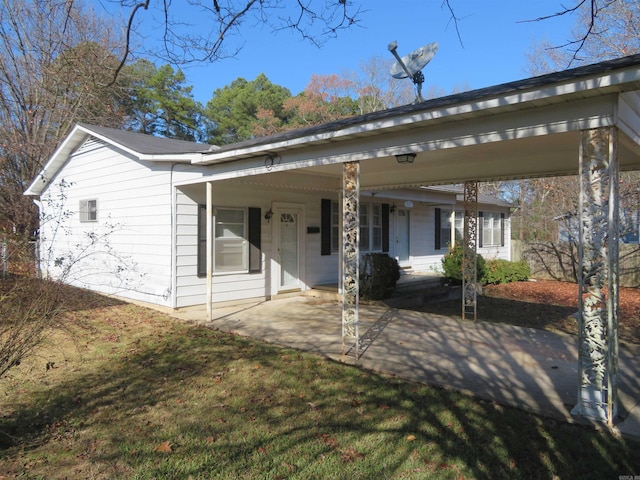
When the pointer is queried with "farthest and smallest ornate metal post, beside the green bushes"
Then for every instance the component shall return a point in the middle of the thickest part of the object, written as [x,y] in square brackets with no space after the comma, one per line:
[469,249]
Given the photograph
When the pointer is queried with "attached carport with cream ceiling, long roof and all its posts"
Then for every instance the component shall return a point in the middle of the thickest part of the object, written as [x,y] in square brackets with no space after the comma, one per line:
[583,121]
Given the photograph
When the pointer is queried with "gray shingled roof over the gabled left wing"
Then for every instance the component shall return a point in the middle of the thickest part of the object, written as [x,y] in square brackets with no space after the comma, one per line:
[148,144]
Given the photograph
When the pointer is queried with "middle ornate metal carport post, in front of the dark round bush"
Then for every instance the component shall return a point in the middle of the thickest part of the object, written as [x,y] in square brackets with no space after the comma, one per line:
[350,256]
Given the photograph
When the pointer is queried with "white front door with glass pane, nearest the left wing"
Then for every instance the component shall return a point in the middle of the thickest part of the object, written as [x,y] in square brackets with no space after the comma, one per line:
[289,250]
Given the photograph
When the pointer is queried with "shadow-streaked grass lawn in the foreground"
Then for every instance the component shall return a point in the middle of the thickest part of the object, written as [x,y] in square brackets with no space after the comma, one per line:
[135,394]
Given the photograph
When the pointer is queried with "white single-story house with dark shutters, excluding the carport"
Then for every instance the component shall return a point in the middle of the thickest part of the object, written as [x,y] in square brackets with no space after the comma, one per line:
[125,213]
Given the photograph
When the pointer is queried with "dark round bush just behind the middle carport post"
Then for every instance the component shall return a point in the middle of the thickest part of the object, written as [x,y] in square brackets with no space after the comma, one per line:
[378,276]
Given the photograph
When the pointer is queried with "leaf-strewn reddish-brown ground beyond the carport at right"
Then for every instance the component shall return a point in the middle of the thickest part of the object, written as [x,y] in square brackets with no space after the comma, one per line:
[543,304]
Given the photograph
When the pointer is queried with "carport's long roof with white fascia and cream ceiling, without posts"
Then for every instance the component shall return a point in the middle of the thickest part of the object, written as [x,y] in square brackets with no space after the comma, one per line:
[527,128]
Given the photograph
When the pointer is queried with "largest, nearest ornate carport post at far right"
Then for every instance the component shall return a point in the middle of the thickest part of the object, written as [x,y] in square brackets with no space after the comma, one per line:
[598,282]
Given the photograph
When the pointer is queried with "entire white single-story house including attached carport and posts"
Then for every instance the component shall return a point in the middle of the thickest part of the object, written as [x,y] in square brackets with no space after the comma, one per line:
[262,217]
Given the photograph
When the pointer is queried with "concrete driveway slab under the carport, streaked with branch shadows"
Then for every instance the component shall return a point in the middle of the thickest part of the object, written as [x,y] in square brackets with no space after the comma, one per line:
[526,368]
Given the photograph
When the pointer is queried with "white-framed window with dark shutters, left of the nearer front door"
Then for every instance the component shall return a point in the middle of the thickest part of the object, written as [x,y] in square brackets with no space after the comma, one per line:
[230,240]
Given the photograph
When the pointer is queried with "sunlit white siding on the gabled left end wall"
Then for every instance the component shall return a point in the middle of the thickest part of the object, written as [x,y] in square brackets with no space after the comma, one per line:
[123,246]
